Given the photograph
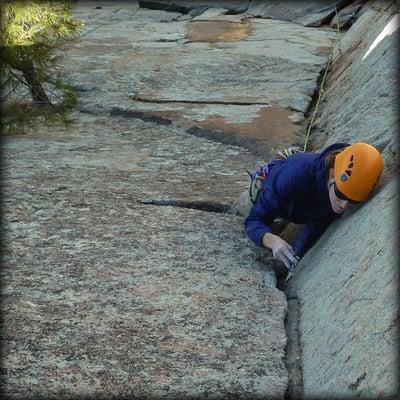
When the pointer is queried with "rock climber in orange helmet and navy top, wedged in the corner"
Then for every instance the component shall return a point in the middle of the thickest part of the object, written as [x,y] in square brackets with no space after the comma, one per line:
[307,188]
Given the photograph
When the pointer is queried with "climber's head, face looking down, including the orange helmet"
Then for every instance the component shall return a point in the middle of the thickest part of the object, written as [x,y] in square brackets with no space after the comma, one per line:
[355,173]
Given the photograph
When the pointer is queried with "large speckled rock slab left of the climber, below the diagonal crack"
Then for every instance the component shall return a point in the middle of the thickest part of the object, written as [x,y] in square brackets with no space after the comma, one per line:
[104,296]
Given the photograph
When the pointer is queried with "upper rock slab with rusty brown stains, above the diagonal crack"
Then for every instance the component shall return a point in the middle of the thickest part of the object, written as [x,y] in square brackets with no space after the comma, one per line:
[231,78]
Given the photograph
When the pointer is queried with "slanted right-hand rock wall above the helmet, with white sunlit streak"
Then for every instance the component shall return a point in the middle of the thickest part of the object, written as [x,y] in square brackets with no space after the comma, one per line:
[360,100]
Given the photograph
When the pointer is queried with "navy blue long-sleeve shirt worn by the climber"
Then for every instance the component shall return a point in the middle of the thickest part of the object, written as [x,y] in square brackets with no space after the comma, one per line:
[296,190]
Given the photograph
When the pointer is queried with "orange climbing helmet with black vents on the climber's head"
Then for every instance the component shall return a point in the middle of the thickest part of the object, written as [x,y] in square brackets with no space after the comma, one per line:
[357,170]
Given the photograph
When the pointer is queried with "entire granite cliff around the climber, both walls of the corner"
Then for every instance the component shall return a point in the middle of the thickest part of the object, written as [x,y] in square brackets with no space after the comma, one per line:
[105,296]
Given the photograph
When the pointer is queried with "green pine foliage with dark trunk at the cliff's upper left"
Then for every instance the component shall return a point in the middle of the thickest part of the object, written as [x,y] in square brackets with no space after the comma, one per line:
[32,35]
